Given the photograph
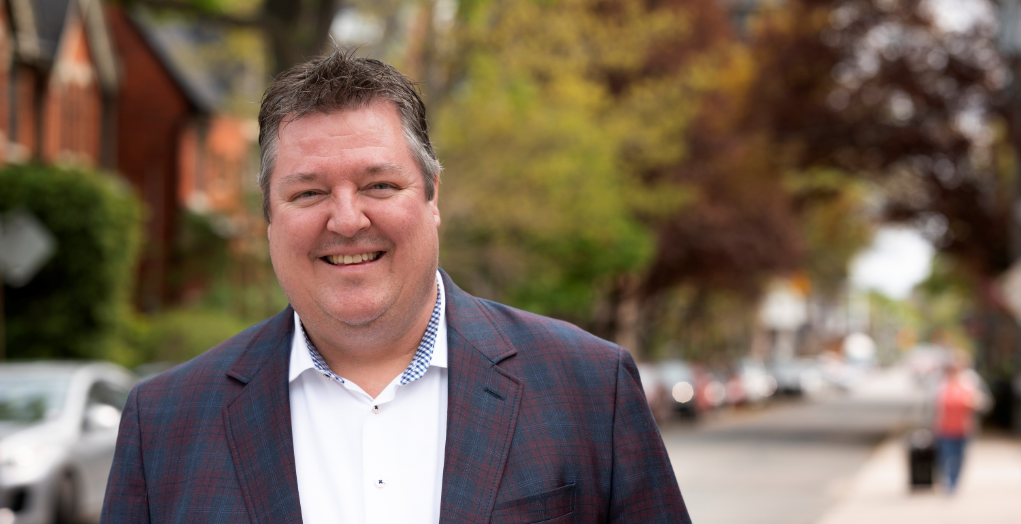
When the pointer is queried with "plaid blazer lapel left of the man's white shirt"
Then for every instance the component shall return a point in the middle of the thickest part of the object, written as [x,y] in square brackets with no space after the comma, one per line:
[259,425]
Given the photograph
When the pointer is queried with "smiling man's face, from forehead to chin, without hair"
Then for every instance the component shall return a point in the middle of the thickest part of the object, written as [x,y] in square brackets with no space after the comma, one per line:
[347,187]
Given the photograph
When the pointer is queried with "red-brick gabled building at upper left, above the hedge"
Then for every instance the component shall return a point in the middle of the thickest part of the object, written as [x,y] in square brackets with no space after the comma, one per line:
[86,85]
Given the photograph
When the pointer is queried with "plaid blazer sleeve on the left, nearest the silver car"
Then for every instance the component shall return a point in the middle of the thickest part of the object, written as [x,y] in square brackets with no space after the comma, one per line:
[127,498]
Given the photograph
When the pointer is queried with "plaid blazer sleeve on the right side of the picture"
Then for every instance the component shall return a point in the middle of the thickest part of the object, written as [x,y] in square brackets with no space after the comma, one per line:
[644,487]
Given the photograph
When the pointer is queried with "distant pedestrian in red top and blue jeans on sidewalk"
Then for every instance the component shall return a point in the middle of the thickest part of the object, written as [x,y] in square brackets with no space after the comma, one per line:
[959,397]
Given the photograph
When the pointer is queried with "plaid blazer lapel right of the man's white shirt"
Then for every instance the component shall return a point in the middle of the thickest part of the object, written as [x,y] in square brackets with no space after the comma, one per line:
[482,410]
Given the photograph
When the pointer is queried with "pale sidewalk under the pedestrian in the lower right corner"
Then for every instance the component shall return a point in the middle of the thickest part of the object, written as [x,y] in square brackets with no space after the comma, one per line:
[990,490]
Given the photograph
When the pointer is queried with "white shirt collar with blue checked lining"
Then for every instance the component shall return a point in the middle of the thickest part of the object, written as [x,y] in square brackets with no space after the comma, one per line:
[432,350]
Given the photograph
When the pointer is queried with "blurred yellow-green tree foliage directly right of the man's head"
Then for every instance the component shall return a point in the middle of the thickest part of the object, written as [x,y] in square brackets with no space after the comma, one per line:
[545,197]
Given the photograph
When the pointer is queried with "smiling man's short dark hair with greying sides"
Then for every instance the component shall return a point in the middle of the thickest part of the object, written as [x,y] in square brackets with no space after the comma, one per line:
[338,82]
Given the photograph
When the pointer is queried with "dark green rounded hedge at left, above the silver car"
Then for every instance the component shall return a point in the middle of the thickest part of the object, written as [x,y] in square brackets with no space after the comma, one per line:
[76,306]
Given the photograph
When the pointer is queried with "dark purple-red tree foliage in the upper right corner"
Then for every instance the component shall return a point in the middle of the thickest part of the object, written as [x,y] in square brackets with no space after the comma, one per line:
[903,96]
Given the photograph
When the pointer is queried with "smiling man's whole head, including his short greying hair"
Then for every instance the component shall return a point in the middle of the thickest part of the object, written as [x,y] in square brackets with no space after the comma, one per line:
[350,188]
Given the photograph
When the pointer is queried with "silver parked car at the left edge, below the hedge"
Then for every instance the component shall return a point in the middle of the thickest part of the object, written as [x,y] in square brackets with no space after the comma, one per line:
[59,430]
